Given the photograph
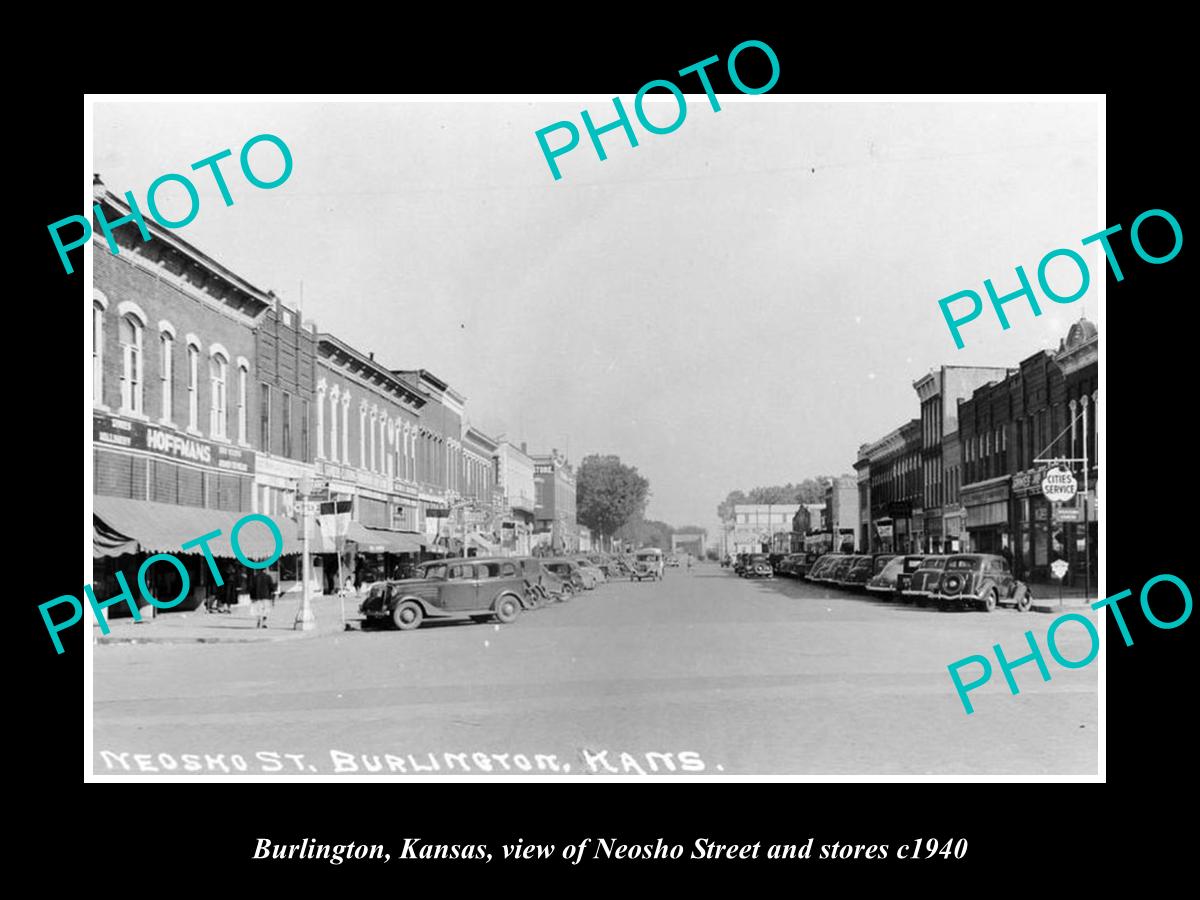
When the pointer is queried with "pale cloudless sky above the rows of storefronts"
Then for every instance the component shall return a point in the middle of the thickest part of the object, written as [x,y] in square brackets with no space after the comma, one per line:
[740,303]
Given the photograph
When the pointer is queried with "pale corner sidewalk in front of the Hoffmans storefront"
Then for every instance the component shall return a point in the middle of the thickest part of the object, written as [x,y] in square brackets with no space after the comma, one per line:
[238,627]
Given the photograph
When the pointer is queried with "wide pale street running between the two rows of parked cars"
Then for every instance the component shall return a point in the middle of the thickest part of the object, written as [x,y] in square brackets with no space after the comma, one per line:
[705,669]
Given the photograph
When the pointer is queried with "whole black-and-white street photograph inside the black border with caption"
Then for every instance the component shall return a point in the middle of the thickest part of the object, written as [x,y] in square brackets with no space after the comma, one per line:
[411,460]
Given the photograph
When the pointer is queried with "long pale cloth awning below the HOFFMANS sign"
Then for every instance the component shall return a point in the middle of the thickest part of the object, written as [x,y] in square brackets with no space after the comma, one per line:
[124,526]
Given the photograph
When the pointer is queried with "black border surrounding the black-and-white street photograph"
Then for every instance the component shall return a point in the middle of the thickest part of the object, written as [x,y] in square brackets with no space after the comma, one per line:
[152,836]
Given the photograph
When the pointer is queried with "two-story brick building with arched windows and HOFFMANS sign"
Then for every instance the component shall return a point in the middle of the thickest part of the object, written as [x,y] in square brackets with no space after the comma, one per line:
[173,405]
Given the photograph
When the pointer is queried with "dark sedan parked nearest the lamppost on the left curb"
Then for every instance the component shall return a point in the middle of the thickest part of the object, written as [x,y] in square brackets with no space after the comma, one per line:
[478,589]
